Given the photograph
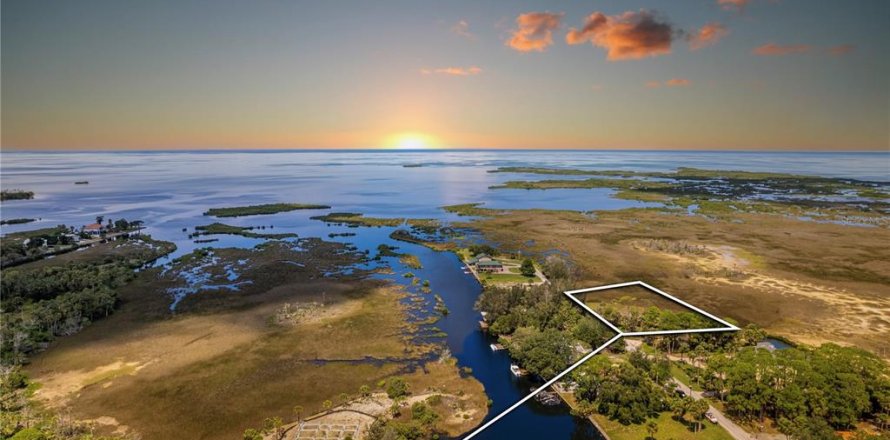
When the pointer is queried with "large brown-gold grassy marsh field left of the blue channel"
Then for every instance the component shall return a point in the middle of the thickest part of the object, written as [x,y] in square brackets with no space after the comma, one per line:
[224,362]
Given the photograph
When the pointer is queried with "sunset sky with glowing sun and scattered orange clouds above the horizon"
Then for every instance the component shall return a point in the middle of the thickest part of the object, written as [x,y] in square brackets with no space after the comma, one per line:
[701,74]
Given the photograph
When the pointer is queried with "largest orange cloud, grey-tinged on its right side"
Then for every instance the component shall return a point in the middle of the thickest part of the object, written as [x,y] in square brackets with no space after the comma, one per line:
[628,36]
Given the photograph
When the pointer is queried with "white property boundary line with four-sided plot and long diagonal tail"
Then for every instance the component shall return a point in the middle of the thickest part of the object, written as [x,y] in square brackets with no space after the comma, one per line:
[619,334]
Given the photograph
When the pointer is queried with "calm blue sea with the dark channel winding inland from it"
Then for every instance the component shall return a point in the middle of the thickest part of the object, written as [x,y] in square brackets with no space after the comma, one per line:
[171,190]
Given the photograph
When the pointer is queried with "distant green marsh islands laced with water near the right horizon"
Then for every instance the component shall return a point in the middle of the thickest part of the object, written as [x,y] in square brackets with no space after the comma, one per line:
[725,192]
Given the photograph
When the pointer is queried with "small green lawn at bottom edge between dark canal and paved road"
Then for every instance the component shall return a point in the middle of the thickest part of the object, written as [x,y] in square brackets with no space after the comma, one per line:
[668,428]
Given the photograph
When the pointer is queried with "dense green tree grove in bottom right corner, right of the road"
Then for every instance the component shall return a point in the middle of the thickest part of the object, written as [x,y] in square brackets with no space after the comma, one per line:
[808,392]
